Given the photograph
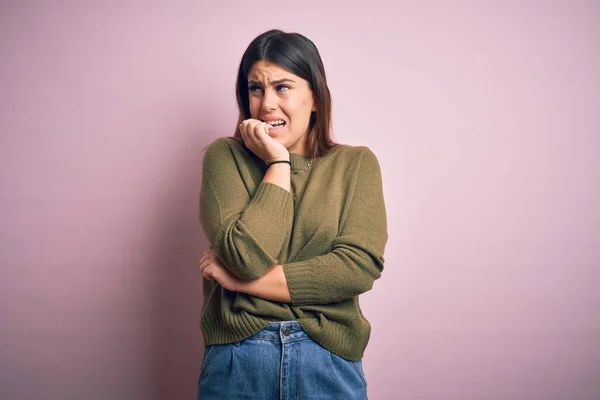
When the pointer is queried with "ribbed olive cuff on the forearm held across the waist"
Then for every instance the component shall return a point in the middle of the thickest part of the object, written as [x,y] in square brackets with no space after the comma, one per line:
[301,282]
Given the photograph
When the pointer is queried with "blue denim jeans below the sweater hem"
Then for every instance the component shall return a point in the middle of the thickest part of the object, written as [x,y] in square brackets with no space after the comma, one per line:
[280,362]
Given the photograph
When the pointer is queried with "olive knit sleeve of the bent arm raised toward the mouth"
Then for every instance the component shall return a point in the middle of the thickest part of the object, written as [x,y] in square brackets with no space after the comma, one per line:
[247,231]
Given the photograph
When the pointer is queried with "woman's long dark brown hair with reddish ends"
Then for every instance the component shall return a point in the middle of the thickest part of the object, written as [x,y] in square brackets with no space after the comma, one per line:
[298,55]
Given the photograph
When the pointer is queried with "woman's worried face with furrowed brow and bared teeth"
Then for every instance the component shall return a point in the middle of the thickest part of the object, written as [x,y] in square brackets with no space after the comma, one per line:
[278,95]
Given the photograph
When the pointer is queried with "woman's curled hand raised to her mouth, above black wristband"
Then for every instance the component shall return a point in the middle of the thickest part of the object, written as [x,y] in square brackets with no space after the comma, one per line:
[255,134]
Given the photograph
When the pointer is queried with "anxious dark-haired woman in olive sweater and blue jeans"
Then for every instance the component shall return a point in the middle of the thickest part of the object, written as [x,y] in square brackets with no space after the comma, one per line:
[297,227]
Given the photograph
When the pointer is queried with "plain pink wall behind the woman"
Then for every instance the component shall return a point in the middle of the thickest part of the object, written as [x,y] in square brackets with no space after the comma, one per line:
[485,117]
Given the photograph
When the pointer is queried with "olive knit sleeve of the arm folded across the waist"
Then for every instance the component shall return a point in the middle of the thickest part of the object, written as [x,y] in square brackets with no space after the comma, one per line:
[355,259]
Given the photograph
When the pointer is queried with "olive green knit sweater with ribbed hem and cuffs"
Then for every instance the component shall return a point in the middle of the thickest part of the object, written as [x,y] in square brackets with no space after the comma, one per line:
[329,235]
